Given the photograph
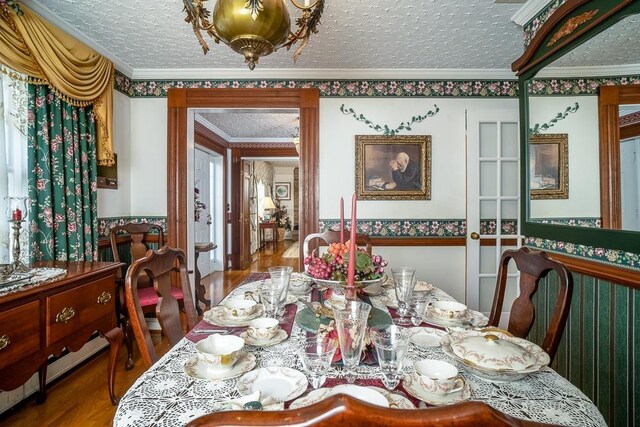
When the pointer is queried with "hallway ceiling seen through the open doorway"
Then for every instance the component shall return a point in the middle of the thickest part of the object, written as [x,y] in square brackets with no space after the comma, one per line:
[250,125]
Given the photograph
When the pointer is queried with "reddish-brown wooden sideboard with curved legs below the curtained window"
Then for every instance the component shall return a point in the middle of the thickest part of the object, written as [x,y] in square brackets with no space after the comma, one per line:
[43,320]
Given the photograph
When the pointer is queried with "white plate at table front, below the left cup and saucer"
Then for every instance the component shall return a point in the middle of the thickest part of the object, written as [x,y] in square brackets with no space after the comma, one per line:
[278,382]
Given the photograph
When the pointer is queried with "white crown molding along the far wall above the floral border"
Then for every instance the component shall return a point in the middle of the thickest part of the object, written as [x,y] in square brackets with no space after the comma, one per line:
[322,74]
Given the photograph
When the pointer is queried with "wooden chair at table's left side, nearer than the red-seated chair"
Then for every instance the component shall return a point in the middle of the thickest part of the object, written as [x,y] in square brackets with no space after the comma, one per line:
[159,267]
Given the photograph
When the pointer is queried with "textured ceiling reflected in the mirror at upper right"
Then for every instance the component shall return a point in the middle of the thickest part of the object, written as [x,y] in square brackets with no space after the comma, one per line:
[617,45]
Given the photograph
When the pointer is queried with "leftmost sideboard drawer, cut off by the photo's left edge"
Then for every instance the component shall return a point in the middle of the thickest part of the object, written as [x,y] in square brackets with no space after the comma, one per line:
[19,333]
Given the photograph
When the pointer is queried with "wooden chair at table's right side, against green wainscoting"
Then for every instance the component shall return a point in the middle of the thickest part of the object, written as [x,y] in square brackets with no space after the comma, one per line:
[533,266]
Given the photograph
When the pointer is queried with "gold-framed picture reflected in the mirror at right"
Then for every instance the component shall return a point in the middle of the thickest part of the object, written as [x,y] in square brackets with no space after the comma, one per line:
[549,166]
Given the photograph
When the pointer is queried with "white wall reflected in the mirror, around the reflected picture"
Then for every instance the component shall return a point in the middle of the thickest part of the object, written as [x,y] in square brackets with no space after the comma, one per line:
[584,166]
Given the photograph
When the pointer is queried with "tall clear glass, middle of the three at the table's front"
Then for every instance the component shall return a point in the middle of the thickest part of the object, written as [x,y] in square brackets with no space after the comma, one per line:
[351,323]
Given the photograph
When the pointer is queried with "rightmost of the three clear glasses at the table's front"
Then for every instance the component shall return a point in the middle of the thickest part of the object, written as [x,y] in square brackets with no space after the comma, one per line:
[391,346]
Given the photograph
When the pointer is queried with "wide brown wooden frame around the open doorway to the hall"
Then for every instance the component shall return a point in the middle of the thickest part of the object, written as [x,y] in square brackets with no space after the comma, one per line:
[180,100]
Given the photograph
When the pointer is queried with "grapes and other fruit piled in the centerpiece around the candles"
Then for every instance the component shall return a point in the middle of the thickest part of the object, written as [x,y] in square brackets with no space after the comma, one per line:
[334,264]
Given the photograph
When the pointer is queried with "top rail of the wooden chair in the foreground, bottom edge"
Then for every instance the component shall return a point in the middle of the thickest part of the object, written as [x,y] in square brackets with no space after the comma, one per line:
[346,411]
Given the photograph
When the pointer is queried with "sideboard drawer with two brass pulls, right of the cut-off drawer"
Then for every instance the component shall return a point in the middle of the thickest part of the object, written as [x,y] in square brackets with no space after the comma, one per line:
[71,310]
